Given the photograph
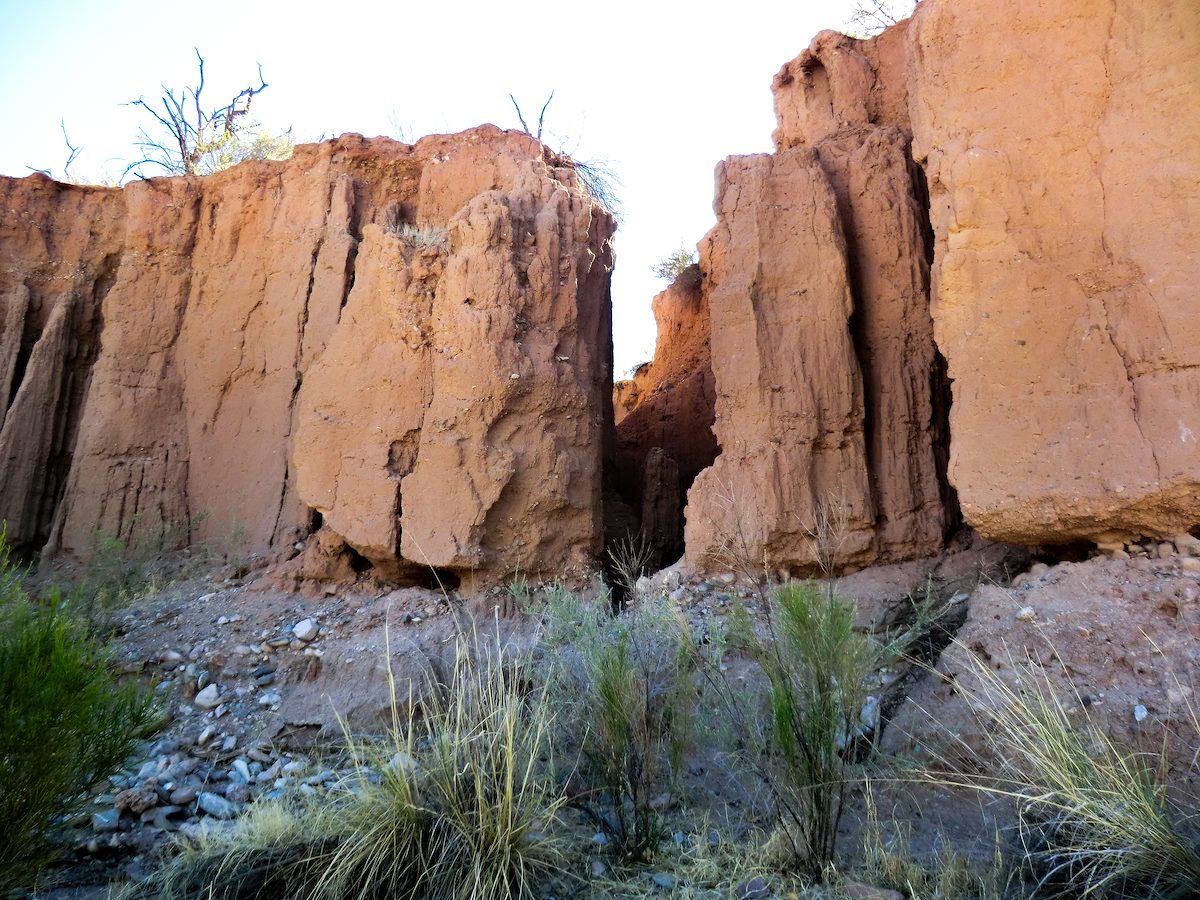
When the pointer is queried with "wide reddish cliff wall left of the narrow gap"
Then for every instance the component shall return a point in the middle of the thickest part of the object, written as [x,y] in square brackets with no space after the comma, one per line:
[165,334]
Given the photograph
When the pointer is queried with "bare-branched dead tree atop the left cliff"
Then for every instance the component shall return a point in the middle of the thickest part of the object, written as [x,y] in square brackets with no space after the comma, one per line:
[193,133]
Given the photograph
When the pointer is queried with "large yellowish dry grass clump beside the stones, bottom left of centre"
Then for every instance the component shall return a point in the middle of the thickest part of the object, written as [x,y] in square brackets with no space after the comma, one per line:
[455,803]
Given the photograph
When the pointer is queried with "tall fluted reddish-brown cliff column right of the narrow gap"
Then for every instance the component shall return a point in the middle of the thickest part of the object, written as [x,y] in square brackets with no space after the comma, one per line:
[830,398]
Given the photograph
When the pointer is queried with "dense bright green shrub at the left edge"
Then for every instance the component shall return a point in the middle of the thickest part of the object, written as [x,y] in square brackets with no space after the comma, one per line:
[65,724]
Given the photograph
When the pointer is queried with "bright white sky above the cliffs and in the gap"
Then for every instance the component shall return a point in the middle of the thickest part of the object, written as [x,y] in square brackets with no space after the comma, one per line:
[662,92]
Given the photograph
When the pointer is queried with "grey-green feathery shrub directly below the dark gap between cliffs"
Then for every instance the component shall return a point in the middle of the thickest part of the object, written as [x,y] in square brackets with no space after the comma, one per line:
[627,686]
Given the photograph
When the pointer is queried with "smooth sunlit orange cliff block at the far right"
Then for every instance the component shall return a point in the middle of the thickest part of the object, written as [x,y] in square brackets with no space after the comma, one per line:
[1063,148]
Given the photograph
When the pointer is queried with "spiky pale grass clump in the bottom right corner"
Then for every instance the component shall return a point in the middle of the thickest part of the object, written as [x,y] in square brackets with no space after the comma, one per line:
[1094,819]
